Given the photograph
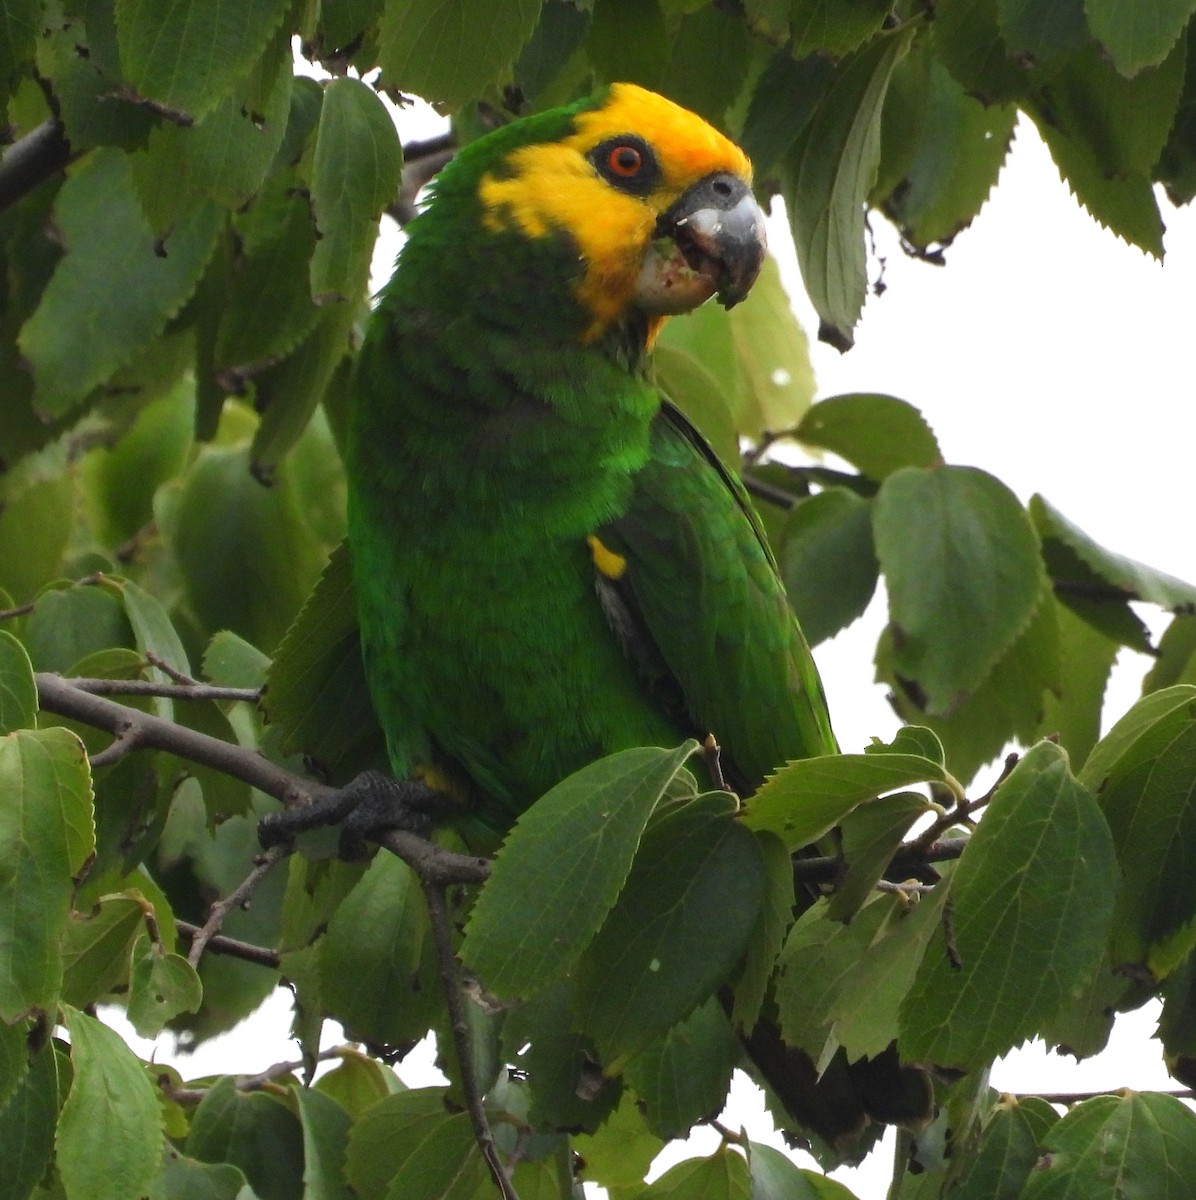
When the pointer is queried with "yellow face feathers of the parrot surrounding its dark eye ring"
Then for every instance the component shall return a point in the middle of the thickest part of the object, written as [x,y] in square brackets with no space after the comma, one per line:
[554,187]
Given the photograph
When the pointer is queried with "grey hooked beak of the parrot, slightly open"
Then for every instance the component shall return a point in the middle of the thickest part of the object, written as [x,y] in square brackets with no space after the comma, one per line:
[711,242]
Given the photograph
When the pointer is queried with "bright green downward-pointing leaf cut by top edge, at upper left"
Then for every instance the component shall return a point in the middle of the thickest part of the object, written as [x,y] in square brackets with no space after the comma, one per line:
[189,56]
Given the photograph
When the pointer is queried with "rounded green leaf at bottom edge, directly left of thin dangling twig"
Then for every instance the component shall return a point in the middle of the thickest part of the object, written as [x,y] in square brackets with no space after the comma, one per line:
[408,1148]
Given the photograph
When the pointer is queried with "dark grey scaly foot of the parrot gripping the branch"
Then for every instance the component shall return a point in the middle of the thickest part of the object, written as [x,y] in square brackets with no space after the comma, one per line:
[366,807]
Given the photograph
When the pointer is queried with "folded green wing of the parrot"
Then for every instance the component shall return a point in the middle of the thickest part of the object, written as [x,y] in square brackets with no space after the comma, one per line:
[702,611]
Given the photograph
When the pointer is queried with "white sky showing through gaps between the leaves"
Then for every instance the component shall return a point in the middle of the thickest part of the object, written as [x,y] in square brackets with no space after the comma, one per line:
[1055,357]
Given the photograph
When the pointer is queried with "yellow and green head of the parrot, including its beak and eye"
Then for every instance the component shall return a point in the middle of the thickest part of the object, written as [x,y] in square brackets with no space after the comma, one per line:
[629,205]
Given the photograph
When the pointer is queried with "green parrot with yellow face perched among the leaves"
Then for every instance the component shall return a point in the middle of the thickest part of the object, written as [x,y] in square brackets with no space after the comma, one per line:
[551,563]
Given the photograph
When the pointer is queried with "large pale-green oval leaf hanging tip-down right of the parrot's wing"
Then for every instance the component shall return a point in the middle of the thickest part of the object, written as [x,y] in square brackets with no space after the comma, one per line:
[963,567]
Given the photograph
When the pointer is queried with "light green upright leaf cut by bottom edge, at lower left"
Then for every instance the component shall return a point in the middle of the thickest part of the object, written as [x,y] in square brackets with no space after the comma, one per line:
[110,1137]
